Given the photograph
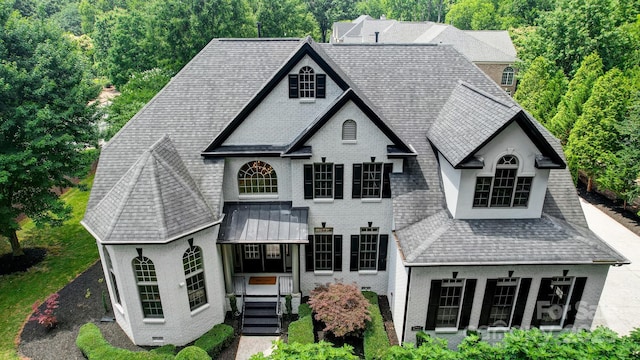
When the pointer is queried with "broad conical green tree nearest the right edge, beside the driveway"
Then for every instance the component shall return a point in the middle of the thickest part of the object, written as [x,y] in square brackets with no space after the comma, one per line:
[594,139]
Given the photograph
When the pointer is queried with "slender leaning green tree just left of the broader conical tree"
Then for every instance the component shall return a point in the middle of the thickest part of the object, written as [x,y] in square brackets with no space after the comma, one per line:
[570,107]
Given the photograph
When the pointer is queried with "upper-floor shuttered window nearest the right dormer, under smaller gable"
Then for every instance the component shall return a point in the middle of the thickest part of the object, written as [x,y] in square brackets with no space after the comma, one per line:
[371,180]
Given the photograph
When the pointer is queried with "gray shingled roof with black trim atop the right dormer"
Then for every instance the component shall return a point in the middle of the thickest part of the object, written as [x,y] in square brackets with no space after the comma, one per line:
[478,117]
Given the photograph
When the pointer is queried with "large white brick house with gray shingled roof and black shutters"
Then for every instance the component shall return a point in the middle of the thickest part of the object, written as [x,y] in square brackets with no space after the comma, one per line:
[268,166]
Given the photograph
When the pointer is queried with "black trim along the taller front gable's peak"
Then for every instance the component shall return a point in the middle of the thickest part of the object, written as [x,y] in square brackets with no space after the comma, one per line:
[306,48]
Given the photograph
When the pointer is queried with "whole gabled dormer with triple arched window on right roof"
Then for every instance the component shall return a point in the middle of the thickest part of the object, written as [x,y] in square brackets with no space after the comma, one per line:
[494,160]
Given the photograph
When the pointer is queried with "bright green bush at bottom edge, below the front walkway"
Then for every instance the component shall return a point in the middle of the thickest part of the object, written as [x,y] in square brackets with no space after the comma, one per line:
[319,351]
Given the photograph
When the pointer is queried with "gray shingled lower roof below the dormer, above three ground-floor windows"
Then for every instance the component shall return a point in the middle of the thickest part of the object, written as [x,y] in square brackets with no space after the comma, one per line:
[546,240]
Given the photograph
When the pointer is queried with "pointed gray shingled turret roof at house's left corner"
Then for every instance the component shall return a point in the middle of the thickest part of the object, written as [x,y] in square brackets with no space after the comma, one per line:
[154,202]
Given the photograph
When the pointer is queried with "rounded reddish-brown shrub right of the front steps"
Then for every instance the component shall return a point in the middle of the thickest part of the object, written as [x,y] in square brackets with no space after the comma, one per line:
[342,308]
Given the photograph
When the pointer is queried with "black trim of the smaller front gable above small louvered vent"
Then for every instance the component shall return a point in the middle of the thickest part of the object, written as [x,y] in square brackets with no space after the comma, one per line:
[350,96]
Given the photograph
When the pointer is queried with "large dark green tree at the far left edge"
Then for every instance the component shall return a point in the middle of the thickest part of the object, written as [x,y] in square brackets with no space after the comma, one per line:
[45,123]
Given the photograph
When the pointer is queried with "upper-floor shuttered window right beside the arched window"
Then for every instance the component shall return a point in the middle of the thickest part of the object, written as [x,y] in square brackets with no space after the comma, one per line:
[323,181]
